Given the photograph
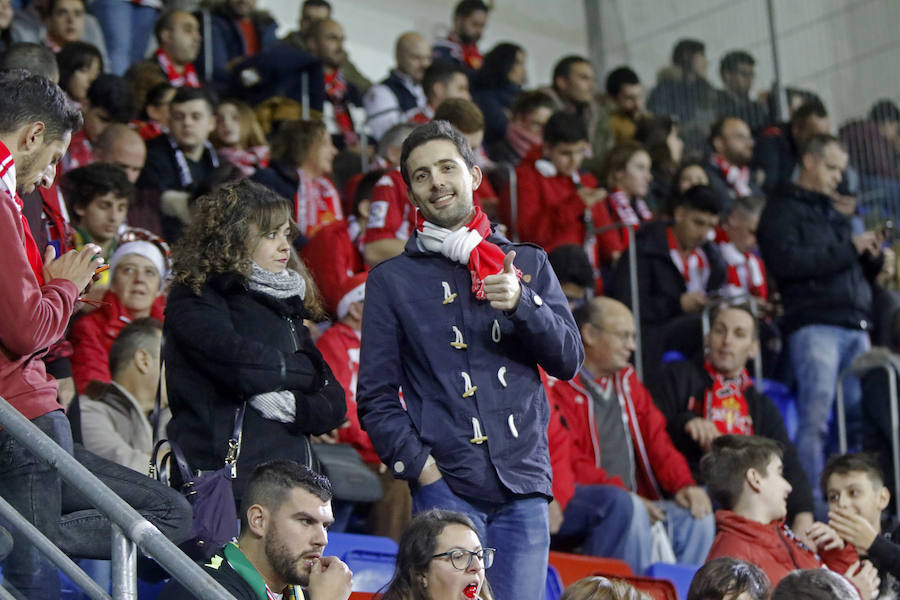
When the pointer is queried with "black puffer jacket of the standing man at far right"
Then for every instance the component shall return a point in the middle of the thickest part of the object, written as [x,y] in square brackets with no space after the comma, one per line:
[807,246]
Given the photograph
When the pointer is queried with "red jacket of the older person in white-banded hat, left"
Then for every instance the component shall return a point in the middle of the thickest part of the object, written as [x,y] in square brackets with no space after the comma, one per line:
[93,334]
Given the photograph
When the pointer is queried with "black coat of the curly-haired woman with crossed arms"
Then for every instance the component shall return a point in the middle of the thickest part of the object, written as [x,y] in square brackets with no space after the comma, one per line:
[228,344]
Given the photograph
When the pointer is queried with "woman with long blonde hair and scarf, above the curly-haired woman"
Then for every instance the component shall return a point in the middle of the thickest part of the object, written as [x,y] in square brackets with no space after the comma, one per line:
[238,137]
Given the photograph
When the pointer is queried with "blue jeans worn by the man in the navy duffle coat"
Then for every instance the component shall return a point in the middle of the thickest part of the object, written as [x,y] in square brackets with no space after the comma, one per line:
[518,529]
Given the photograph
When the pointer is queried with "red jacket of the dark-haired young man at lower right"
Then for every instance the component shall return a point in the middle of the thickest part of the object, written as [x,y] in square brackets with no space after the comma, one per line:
[773,547]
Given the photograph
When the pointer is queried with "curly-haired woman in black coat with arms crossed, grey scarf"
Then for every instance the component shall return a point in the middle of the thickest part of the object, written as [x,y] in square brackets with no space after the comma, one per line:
[234,333]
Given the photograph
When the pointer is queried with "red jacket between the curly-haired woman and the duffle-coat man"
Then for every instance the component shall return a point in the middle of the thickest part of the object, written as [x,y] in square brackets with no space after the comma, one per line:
[339,346]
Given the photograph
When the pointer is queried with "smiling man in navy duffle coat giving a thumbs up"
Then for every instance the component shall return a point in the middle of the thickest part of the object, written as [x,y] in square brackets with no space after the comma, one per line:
[454,442]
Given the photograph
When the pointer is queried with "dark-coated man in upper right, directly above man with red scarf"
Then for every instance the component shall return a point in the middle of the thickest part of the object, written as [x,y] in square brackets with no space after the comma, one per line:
[737,70]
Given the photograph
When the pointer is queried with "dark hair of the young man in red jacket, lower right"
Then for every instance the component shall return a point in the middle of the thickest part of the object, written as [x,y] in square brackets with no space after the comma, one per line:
[725,466]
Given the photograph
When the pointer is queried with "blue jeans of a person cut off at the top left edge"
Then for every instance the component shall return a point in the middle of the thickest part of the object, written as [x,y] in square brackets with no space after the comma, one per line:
[126,28]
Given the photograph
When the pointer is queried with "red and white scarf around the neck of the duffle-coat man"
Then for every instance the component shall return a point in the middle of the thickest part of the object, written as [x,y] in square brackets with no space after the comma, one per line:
[468,246]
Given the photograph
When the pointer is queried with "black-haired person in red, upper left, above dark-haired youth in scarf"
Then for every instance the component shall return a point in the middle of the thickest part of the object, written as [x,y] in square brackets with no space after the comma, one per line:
[108,101]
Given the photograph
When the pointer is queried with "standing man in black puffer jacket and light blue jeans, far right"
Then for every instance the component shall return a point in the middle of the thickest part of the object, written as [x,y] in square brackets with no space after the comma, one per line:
[824,274]
